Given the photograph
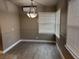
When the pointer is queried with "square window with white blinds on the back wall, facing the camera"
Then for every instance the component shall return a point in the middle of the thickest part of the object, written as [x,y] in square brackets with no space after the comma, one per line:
[46,22]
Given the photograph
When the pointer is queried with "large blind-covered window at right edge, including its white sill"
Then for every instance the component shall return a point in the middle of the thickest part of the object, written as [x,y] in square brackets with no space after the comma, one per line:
[73,28]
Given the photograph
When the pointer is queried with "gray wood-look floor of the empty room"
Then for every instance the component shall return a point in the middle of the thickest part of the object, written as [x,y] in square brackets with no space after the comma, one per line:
[32,51]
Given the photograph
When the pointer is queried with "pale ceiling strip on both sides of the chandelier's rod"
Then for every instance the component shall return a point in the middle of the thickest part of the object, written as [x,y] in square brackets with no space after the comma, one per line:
[42,2]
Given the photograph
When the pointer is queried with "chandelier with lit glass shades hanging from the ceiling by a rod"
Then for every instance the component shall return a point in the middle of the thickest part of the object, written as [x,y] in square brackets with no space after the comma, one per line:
[31,11]
